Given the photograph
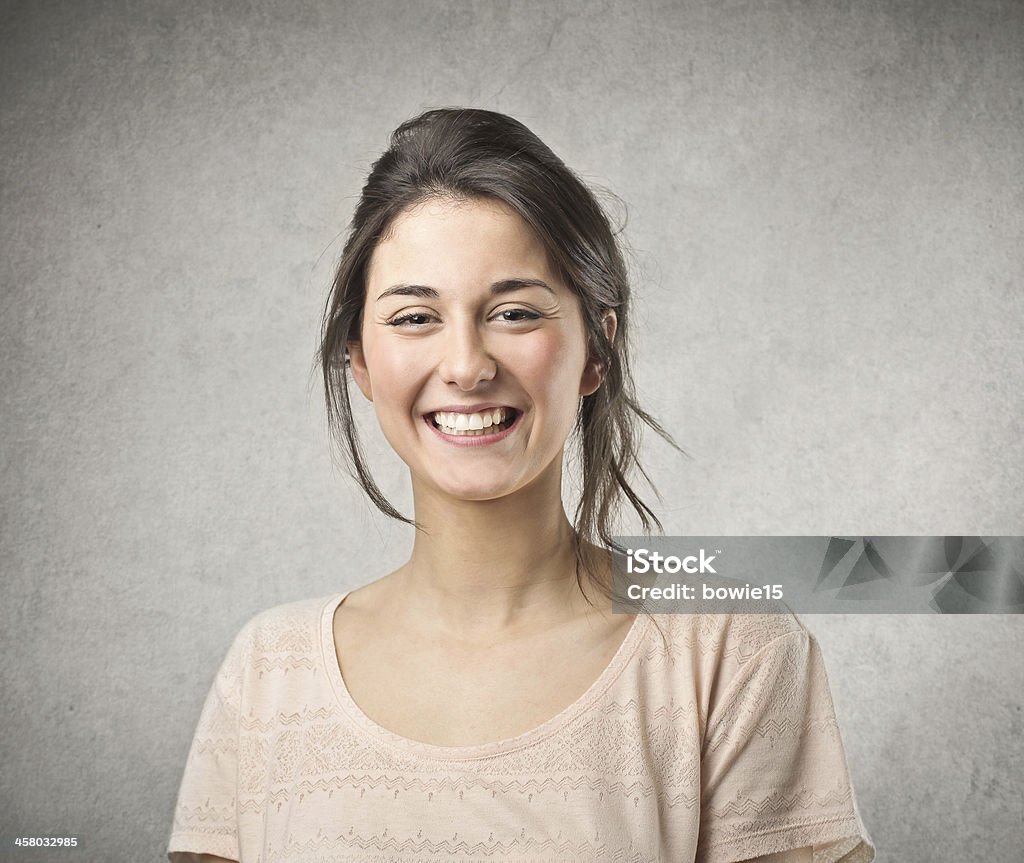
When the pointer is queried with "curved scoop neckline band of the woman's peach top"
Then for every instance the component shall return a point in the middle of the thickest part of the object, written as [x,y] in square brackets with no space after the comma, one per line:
[434,752]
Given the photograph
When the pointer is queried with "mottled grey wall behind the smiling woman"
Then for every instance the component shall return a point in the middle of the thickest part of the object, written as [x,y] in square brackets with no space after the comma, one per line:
[825,207]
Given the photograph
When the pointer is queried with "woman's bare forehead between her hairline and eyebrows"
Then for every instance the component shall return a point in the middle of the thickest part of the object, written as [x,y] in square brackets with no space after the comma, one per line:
[450,243]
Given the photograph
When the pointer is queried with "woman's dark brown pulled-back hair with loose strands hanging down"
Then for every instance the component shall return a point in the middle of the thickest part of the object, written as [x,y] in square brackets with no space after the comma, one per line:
[466,154]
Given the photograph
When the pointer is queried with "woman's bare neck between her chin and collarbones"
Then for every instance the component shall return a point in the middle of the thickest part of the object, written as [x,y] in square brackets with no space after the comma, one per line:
[491,566]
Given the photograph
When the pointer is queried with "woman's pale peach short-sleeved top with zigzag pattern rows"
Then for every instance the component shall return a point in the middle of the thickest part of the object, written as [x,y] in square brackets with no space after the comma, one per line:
[708,738]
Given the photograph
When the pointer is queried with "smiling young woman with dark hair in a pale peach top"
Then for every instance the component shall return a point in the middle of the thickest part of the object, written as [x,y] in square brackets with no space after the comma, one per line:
[482,703]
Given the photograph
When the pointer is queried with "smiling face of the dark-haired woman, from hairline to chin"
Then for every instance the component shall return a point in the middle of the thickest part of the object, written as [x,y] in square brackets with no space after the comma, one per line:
[474,353]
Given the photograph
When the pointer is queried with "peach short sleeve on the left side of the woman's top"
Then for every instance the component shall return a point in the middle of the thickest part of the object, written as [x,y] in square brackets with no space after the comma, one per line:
[206,816]
